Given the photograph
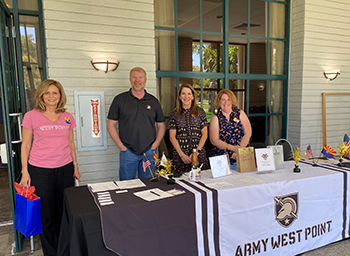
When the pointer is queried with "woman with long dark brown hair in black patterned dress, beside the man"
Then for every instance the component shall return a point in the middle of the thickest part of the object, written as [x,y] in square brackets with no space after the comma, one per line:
[188,130]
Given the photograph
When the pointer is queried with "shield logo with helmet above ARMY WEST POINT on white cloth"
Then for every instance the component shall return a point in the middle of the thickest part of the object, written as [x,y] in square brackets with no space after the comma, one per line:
[286,209]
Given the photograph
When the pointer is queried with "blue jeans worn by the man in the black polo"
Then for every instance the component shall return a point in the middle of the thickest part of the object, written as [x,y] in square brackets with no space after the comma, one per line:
[130,164]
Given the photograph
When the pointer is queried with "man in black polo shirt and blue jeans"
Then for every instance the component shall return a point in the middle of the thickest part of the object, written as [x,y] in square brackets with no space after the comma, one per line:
[137,113]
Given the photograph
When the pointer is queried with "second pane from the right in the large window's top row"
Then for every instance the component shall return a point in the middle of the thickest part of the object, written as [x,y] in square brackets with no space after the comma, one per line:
[258,14]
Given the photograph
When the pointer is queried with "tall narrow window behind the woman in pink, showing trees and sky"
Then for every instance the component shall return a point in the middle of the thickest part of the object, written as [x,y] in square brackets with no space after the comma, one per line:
[31,56]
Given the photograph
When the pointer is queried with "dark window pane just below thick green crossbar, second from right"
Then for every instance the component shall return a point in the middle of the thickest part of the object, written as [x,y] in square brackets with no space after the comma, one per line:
[257,96]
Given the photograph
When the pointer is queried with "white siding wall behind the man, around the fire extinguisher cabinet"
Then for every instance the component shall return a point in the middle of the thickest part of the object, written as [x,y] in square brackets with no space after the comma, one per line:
[77,31]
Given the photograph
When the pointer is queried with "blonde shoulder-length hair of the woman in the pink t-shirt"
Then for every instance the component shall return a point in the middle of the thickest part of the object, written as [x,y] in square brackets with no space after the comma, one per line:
[42,88]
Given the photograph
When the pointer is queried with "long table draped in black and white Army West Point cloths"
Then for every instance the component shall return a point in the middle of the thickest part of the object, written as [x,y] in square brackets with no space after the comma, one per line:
[222,216]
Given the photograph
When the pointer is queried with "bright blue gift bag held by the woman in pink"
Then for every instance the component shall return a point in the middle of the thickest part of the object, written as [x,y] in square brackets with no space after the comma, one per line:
[28,216]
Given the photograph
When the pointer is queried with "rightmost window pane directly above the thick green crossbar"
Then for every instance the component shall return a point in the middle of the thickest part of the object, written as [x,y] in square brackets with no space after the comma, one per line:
[277,57]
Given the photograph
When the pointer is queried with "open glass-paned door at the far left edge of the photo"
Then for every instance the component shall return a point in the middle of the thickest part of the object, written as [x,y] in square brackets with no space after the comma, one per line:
[10,102]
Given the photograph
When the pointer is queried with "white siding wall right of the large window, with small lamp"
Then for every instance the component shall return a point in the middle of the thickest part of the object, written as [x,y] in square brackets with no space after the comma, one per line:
[320,40]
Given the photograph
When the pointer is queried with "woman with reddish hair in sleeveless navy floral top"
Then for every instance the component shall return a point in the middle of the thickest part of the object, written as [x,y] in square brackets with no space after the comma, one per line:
[230,128]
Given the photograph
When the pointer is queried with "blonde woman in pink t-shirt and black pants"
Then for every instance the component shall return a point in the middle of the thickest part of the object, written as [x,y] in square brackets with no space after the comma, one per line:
[48,157]
